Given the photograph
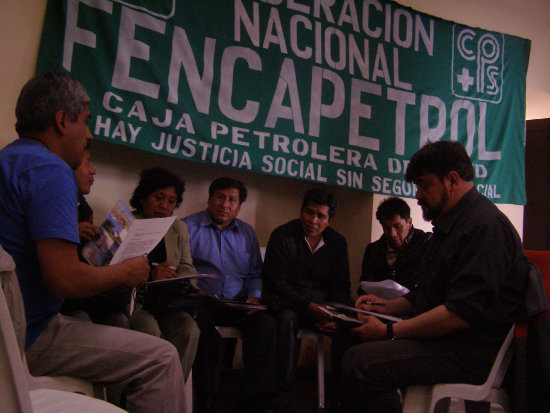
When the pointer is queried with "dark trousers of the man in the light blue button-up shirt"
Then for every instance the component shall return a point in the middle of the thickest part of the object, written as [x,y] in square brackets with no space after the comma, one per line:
[258,351]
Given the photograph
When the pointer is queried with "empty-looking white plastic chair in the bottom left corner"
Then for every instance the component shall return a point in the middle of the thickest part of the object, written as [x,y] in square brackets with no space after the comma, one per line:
[15,393]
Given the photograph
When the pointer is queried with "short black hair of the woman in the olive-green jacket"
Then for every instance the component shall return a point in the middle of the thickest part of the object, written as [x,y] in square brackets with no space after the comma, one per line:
[156,178]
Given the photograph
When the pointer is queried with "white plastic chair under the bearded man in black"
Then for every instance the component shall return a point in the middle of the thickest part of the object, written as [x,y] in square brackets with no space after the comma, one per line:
[423,399]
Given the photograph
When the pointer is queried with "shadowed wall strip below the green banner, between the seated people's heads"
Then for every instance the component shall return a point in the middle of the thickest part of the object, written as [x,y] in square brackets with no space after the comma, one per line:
[271,202]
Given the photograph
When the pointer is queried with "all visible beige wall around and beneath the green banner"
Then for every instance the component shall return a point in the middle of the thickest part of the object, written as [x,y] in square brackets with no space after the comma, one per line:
[272,200]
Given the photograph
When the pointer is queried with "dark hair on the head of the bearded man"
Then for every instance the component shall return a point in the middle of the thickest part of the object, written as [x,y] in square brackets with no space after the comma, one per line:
[440,158]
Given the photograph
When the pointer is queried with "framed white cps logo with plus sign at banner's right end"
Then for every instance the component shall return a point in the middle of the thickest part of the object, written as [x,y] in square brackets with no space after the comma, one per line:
[477,64]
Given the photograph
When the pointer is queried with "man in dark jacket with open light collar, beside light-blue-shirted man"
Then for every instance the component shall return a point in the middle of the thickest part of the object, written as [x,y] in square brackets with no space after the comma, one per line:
[306,264]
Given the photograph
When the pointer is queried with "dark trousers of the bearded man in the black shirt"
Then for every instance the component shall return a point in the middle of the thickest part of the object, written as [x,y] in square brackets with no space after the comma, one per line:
[373,371]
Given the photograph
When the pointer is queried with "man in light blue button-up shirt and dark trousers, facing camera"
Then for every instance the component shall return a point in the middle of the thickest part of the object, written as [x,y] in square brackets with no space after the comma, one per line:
[223,245]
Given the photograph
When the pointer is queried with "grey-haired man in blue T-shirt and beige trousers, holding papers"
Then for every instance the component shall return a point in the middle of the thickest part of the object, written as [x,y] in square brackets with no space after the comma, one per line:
[38,221]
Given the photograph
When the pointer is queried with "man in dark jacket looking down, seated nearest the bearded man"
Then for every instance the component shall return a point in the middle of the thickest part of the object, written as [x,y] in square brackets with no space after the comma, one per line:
[397,253]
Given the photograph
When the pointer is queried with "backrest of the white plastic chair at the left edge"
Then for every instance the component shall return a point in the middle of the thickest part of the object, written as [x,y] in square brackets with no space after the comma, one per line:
[14,392]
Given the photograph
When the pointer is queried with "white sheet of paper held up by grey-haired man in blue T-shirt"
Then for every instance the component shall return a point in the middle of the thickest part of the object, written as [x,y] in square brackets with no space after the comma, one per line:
[143,236]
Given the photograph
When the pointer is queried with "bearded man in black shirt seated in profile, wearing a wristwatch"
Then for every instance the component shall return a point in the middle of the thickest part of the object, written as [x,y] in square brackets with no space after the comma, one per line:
[471,290]
